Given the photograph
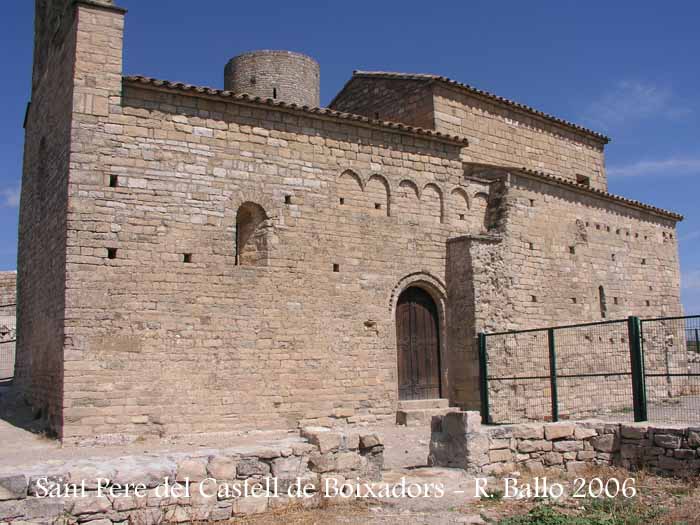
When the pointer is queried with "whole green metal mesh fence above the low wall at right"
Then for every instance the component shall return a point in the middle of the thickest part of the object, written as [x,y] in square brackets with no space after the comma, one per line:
[627,369]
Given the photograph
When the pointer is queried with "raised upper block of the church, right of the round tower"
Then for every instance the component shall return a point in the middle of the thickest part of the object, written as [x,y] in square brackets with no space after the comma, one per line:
[498,134]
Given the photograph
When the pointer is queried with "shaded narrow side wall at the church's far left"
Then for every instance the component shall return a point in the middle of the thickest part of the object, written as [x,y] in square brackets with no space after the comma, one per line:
[42,220]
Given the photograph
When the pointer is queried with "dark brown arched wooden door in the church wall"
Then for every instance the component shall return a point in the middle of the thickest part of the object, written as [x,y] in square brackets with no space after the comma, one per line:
[418,342]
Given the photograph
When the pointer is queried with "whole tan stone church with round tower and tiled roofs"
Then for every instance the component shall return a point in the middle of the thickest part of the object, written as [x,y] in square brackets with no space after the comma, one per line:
[196,259]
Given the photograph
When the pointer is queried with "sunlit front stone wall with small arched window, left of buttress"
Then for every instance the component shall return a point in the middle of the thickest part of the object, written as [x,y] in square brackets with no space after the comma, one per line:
[161,174]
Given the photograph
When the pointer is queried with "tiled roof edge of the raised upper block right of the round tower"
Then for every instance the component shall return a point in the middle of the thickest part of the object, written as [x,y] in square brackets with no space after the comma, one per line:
[478,92]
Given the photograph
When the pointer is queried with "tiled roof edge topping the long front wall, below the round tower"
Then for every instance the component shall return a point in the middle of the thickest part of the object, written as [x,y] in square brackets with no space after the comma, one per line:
[311,111]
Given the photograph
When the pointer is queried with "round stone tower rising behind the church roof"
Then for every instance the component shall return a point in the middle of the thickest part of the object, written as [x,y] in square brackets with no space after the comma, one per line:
[281,75]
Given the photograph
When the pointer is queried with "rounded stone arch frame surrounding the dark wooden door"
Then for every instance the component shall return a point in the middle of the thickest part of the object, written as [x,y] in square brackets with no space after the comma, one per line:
[437,291]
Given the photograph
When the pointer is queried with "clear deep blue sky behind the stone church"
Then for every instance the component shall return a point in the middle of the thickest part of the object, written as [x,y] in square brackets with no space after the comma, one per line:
[627,69]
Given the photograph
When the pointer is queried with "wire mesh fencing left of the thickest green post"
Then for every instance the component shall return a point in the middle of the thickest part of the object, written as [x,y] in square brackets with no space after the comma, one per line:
[548,374]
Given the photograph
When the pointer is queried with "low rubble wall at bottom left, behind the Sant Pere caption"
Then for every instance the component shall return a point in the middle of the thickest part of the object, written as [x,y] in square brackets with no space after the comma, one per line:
[183,487]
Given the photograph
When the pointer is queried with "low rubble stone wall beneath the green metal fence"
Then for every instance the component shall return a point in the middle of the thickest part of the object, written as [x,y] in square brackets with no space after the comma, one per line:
[459,440]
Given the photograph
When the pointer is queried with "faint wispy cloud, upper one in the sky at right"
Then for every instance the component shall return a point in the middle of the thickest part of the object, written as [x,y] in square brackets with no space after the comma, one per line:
[629,101]
